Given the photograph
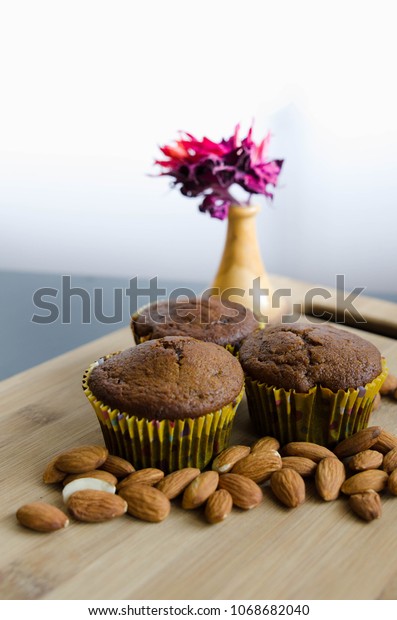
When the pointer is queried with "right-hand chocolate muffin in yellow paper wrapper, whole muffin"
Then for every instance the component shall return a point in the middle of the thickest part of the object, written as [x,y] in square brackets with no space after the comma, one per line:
[310,382]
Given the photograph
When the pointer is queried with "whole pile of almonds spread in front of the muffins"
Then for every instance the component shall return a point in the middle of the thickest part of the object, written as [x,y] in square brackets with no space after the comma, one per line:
[98,486]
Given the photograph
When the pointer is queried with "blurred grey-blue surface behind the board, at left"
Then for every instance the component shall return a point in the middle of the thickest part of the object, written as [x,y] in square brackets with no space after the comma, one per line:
[71,317]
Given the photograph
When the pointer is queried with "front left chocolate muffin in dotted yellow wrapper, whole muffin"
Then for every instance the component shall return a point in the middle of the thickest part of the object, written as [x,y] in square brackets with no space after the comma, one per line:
[167,403]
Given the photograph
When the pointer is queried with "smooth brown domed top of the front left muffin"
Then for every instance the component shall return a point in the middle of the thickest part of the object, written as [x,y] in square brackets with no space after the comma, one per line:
[174,377]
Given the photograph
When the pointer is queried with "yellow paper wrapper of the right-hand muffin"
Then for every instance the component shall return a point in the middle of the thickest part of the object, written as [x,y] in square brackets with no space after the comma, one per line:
[320,415]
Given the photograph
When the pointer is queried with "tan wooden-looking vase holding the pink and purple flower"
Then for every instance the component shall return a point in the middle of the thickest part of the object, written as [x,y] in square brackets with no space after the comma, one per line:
[242,264]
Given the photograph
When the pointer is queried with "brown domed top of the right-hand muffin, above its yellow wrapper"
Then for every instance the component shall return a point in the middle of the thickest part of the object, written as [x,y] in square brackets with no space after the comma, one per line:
[300,356]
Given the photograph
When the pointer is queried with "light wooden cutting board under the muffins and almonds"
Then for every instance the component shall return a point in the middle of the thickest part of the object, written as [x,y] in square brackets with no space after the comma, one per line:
[317,551]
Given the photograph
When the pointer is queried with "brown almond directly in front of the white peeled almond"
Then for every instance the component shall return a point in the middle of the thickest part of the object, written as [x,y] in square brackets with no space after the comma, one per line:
[95,506]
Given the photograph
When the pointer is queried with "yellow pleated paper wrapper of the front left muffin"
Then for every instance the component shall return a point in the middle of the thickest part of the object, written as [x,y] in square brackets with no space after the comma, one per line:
[166,444]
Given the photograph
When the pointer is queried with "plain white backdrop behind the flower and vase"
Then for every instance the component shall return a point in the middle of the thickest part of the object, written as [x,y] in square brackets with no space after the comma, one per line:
[89,89]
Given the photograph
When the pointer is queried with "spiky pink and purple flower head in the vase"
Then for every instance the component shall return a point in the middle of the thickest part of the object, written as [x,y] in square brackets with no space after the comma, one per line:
[209,169]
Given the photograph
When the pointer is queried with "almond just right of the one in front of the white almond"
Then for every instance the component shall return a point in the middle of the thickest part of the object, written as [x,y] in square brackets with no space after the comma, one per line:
[146,502]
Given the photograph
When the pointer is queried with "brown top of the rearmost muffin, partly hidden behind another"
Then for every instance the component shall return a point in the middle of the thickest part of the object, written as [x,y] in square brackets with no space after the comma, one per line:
[205,319]
